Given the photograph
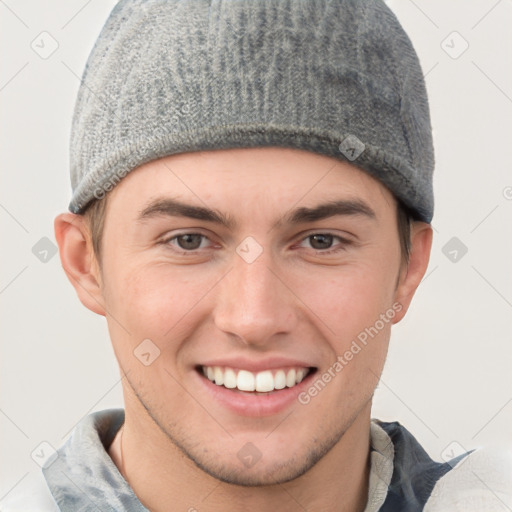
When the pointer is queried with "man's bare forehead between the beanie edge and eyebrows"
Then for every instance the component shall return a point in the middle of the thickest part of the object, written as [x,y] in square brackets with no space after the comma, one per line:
[257,178]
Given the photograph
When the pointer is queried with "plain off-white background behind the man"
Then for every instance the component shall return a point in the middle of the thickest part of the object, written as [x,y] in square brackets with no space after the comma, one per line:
[447,378]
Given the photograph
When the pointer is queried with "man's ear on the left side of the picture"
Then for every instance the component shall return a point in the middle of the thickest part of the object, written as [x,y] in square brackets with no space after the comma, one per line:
[79,261]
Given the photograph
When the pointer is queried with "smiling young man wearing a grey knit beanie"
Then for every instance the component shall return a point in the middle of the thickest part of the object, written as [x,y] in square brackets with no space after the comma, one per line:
[252,197]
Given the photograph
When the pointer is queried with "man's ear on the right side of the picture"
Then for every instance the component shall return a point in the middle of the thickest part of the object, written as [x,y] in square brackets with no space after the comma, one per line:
[412,274]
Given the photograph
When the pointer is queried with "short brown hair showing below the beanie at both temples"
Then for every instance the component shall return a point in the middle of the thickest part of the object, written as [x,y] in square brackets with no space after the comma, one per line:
[95,216]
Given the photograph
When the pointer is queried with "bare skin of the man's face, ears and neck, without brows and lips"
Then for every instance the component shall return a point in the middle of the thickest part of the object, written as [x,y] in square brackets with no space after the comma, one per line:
[179,447]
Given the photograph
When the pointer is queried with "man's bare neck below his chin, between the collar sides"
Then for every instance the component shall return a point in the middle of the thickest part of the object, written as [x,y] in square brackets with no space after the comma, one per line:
[163,477]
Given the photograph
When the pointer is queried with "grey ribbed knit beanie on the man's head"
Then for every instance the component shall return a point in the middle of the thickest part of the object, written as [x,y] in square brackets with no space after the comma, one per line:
[336,77]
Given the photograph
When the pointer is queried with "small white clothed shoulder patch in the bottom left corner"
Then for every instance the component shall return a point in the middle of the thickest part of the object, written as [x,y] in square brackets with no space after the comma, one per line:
[30,495]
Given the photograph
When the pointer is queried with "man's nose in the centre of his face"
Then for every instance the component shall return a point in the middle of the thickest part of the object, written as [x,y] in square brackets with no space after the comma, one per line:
[254,302]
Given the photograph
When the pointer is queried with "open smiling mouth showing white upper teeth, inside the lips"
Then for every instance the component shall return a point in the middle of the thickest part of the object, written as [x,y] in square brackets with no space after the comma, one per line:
[266,381]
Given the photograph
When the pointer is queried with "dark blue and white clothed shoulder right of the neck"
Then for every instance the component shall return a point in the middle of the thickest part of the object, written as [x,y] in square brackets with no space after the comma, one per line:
[476,481]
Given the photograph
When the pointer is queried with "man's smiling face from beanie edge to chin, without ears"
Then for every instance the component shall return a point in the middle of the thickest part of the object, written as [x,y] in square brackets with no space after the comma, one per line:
[260,293]
